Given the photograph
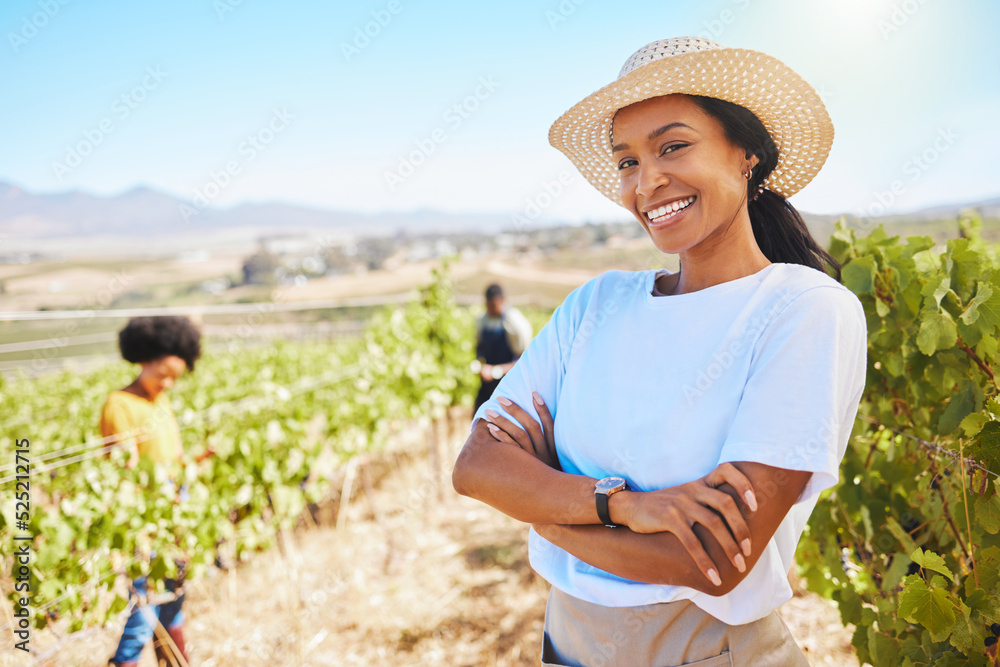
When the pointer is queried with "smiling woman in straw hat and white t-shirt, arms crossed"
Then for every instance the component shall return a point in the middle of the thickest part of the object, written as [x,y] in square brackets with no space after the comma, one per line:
[699,413]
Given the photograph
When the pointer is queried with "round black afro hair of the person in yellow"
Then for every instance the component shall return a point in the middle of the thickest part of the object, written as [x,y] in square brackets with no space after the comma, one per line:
[152,338]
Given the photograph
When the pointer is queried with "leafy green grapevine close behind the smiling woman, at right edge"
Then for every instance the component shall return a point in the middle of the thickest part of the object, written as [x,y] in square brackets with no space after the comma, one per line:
[907,543]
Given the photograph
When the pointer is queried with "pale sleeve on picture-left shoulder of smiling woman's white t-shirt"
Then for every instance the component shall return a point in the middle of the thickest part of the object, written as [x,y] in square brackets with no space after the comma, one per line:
[542,365]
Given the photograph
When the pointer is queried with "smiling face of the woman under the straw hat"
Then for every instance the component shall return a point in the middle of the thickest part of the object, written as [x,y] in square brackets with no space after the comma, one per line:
[680,176]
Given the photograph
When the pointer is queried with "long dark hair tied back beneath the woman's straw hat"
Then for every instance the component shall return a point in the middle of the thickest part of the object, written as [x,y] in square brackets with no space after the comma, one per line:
[778,228]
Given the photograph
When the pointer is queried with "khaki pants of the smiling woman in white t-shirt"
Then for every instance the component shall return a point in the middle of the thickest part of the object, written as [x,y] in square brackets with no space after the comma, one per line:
[583,634]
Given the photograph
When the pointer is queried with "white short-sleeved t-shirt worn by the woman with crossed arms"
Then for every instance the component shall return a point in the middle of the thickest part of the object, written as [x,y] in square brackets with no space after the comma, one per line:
[767,368]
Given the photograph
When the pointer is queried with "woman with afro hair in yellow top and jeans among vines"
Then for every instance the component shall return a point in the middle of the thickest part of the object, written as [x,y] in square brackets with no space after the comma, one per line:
[139,417]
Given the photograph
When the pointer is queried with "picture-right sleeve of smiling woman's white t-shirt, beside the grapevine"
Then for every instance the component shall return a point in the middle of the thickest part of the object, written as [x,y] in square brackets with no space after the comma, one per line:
[804,386]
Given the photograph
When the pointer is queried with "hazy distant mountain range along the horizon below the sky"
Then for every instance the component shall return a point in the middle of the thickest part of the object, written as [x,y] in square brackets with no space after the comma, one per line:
[143,213]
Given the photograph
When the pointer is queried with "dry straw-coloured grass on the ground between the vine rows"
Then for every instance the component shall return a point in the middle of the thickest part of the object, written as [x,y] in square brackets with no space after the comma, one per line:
[407,580]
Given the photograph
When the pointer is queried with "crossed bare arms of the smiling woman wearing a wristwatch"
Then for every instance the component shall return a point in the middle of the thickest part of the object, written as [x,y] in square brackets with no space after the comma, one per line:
[681,536]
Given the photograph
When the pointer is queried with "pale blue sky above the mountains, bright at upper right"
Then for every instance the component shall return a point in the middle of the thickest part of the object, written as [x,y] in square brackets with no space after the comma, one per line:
[253,100]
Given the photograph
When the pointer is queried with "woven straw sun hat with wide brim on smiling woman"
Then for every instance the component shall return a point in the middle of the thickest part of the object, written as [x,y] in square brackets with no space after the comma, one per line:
[790,109]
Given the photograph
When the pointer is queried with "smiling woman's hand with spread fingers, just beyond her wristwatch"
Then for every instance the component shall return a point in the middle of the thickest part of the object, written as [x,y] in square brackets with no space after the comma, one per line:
[676,509]
